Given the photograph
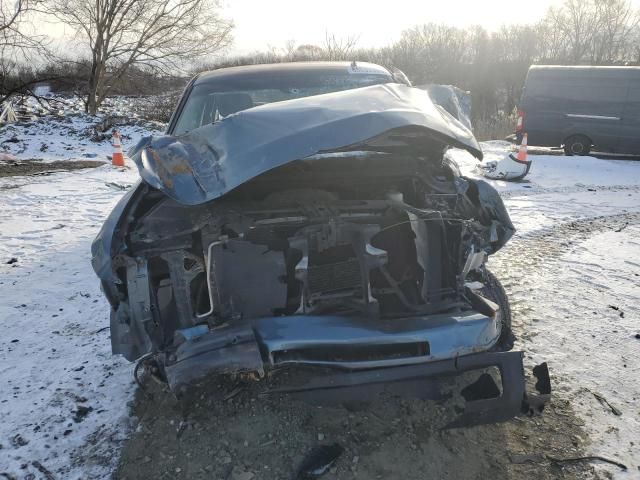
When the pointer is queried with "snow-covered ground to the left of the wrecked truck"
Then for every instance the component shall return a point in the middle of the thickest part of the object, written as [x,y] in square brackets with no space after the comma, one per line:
[63,404]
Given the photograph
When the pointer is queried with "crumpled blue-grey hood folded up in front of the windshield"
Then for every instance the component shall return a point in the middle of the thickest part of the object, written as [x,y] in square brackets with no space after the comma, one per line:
[210,161]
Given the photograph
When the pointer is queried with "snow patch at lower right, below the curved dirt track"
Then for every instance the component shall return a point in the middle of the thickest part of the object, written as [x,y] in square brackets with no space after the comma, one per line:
[586,325]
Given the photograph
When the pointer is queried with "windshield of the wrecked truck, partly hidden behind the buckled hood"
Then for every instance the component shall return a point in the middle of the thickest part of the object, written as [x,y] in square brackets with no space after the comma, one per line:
[211,101]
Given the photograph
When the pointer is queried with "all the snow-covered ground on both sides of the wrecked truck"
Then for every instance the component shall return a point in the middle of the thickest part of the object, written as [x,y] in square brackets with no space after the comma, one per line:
[63,404]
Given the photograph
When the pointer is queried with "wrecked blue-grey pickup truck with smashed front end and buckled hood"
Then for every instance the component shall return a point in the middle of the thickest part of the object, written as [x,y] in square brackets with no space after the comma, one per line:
[305,218]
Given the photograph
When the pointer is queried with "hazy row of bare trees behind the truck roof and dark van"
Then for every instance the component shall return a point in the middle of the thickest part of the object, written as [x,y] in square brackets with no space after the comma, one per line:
[492,65]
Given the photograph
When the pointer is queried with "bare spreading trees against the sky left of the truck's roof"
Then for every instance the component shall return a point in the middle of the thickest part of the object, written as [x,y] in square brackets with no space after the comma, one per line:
[114,43]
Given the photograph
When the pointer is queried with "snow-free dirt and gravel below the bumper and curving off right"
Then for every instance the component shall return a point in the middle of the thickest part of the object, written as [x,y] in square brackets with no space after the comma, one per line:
[230,433]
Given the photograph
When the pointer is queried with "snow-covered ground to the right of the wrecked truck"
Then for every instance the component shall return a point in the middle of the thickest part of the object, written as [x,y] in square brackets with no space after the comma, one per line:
[585,322]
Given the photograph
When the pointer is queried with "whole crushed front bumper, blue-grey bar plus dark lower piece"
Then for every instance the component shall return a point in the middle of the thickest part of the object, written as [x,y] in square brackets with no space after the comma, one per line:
[478,399]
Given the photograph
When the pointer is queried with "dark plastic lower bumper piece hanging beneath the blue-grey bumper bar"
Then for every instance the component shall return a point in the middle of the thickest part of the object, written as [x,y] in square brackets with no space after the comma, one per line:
[484,402]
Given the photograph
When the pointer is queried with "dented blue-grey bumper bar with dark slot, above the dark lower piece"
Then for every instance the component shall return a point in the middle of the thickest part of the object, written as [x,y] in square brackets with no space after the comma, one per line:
[334,342]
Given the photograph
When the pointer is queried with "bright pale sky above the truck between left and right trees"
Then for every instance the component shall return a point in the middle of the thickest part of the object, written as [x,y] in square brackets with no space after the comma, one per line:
[262,24]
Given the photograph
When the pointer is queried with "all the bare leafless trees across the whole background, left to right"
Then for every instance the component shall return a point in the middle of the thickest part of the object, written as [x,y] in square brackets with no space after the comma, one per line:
[129,45]
